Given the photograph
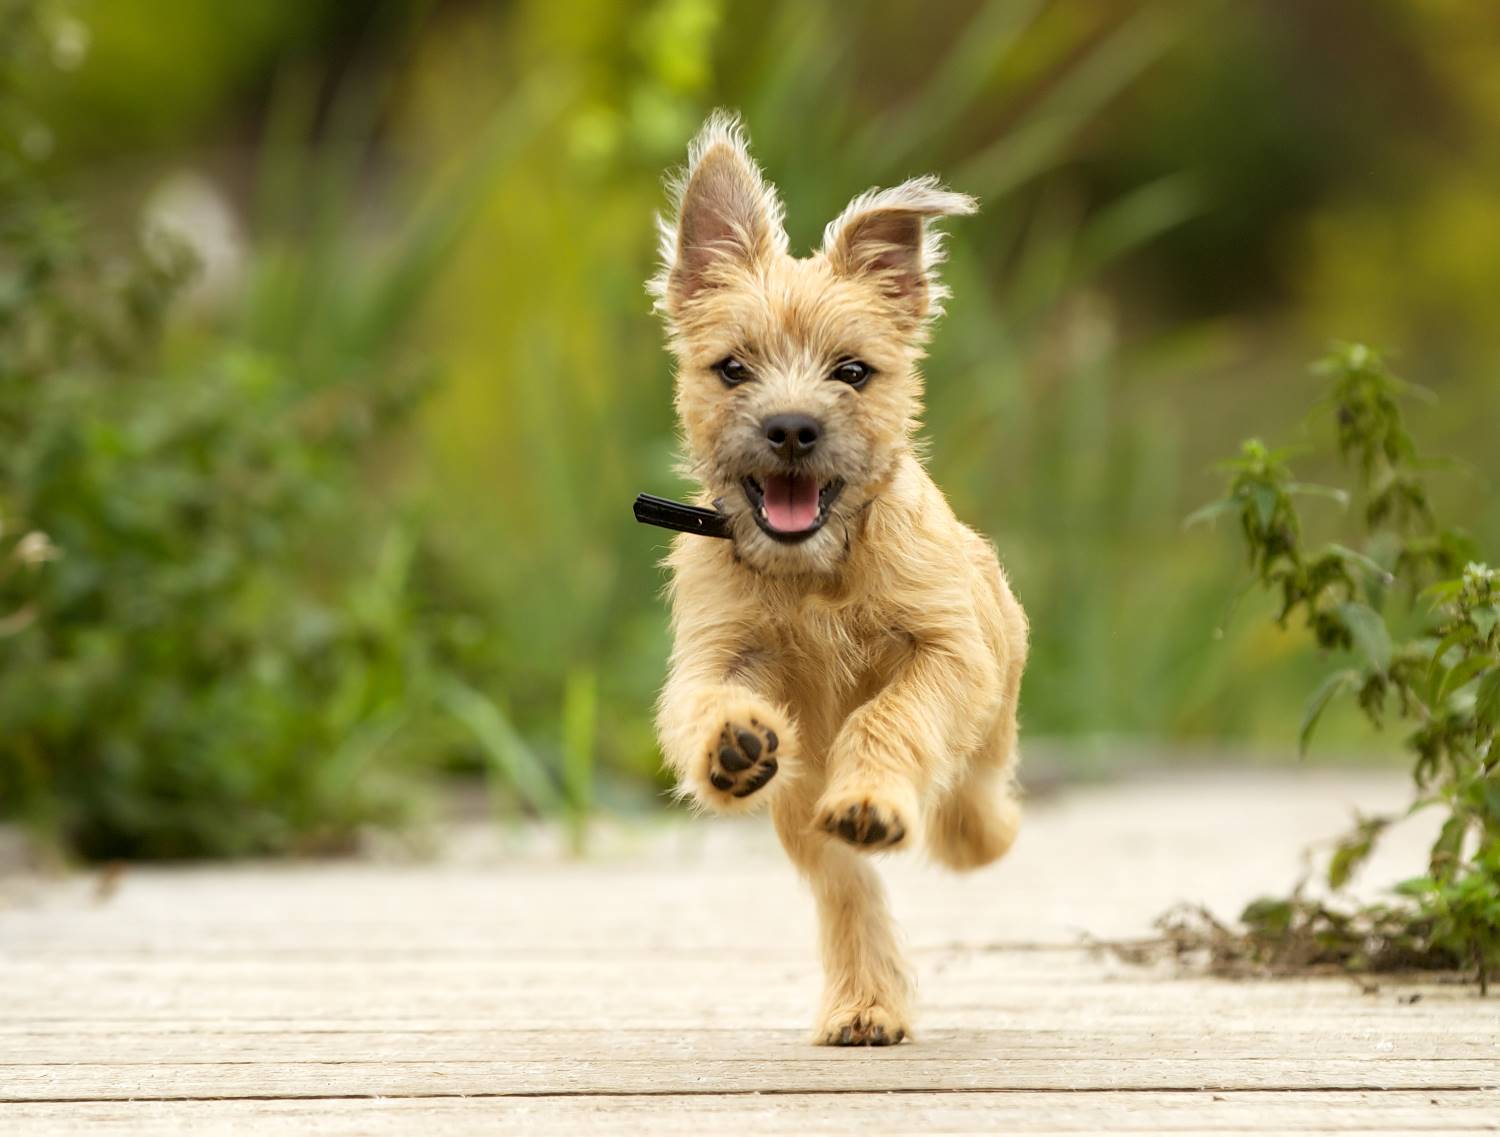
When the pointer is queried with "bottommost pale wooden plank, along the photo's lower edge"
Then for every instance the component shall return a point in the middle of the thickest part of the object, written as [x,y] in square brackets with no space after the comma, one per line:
[785,1114]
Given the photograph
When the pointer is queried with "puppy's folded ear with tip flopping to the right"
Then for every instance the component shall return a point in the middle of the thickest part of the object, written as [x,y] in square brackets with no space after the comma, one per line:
[884,235]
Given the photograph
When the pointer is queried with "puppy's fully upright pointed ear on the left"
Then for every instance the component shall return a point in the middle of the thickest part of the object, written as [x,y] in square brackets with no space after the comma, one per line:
[725,217]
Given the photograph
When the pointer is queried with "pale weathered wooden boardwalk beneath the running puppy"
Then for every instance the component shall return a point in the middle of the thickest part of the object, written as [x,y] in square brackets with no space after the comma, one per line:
[668,983]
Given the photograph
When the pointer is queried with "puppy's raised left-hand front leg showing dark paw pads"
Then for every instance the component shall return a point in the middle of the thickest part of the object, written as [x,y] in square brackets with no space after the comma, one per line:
[724,737]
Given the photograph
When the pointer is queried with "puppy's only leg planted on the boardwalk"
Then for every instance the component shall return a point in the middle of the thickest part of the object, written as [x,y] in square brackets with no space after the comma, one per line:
[868,985]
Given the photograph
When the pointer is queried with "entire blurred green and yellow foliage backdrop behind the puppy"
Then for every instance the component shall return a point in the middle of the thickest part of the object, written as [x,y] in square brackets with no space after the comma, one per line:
[328,373]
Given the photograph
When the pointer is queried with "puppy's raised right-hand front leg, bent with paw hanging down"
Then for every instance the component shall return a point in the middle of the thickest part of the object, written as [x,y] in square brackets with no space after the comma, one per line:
[905,740]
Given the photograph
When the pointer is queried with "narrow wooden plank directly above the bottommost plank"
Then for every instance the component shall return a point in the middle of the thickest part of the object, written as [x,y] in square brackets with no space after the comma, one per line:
[740,1069]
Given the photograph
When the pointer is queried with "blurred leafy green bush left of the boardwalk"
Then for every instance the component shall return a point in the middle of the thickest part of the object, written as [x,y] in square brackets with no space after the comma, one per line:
[209,665]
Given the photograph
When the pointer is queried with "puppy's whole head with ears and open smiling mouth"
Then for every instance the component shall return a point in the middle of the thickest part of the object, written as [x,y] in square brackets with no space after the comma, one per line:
[797,380]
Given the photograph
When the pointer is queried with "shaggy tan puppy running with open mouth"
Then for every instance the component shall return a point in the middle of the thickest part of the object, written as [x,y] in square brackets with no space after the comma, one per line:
[854,655]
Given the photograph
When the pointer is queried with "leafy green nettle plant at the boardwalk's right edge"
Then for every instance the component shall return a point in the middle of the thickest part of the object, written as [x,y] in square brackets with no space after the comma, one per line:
[1420,617]
